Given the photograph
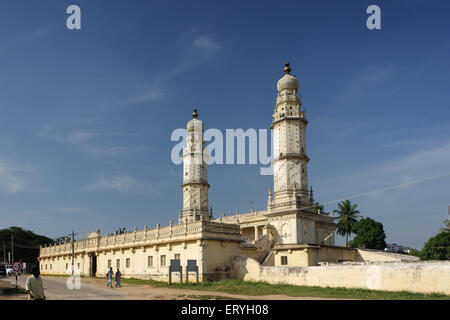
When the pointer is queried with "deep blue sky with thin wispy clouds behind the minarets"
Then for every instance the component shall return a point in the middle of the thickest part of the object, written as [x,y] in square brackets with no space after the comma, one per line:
[86,116]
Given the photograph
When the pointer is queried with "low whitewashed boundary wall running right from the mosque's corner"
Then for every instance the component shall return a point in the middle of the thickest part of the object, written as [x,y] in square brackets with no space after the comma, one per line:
[420,277]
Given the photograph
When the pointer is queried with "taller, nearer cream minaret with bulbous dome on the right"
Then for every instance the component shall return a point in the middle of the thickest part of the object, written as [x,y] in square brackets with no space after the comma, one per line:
[290,162]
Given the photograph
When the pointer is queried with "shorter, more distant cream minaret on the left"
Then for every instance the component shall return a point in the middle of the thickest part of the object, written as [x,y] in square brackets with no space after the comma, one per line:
[195,174]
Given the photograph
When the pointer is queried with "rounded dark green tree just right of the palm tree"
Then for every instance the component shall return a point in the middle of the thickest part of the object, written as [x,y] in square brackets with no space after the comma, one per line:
[370,233]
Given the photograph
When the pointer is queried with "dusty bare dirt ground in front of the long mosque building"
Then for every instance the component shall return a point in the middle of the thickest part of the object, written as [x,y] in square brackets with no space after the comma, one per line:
[95,289]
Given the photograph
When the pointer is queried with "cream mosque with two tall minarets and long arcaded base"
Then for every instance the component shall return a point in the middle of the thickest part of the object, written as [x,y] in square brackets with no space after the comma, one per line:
[289,232]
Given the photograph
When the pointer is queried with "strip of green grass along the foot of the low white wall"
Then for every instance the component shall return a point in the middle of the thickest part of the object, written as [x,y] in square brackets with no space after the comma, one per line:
[264,288]
